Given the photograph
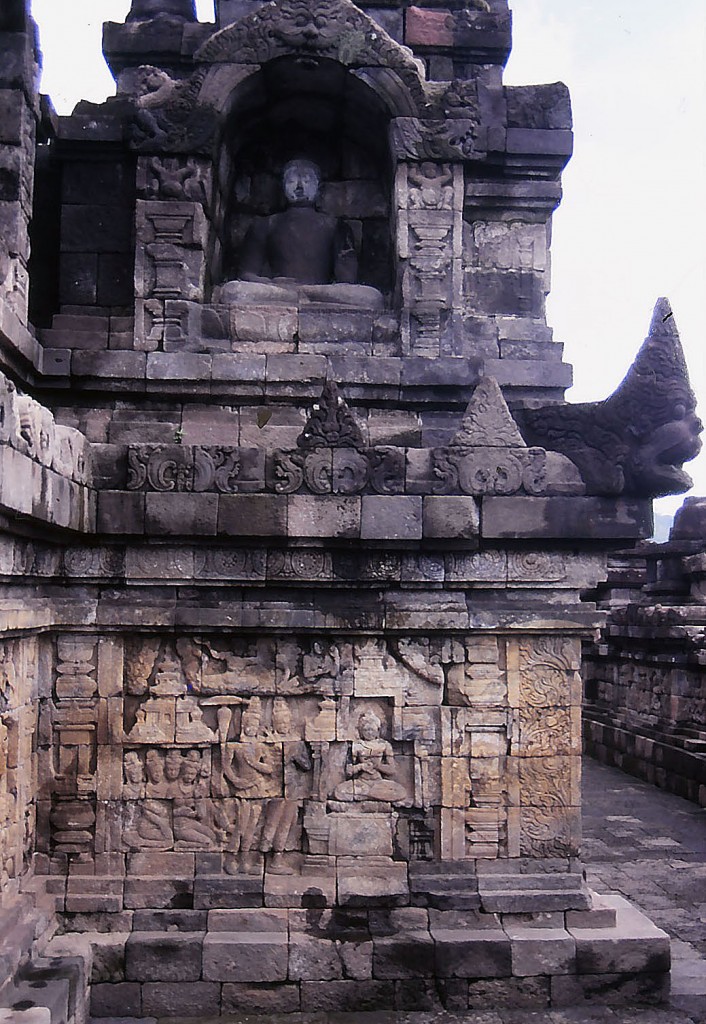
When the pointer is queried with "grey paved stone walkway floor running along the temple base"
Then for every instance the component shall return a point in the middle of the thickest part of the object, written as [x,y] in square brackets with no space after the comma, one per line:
[640,842]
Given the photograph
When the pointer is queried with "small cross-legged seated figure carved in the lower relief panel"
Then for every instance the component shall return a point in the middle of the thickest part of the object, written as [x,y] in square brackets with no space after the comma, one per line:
[371,771]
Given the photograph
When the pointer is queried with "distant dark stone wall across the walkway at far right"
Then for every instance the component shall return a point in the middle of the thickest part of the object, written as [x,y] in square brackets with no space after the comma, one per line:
[645,686]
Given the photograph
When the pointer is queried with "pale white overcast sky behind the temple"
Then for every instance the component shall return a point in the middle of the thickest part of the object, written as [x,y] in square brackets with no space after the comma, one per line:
[633,223]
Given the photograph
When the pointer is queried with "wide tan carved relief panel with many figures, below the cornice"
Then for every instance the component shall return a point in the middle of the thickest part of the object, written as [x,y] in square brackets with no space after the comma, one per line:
[285,753]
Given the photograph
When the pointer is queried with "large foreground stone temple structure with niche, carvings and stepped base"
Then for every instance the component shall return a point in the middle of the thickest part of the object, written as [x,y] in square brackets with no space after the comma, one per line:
[300,542]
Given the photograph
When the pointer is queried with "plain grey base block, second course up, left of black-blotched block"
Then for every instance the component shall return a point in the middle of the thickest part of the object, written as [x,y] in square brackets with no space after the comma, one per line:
[253,957]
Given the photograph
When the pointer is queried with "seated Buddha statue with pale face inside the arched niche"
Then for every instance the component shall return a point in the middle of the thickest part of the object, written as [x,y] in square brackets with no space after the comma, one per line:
[301,254]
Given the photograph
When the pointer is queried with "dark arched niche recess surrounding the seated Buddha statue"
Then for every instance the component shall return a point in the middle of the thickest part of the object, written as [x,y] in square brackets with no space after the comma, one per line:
[316,108]
